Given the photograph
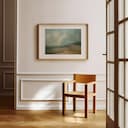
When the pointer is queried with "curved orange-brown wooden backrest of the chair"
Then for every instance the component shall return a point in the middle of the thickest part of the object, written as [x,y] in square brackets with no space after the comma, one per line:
[84,78]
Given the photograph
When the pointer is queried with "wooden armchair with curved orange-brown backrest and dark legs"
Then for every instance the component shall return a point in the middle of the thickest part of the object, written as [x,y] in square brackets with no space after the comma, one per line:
[86,80]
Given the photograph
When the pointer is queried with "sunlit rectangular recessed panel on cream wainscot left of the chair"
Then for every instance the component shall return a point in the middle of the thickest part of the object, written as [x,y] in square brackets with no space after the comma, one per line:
[37,90]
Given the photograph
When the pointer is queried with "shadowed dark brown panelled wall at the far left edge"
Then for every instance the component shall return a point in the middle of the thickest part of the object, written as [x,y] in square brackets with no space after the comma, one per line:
[7,46]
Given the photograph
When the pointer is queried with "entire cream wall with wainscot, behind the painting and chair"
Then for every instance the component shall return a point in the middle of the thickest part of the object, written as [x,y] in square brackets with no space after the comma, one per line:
[34,77]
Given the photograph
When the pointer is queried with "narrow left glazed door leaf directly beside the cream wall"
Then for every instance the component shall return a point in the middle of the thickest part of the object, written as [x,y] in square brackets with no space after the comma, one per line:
[110,63]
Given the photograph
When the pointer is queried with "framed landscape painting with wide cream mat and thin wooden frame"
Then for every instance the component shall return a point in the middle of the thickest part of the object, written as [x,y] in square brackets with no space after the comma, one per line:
[62,41]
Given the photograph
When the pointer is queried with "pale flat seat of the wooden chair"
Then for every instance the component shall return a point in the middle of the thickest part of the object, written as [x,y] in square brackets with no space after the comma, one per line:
[78,93]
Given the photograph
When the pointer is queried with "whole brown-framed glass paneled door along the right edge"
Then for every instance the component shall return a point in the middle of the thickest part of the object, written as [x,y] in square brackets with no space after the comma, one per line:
[117,63]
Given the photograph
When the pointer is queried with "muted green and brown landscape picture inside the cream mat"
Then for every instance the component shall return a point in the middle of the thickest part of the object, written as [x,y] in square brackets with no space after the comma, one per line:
[63,41]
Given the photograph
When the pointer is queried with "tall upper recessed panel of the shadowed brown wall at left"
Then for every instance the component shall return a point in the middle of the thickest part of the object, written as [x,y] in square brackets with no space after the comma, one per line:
[8,30]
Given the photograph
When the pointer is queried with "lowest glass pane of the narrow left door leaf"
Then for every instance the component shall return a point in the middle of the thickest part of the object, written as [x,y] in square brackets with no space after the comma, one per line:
[111,105]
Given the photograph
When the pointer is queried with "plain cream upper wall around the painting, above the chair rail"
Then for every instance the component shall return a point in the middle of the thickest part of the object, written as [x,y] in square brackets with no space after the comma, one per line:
[33,12]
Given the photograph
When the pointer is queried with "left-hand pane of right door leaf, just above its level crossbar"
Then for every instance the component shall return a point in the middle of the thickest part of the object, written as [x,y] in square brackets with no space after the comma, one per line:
[121,41]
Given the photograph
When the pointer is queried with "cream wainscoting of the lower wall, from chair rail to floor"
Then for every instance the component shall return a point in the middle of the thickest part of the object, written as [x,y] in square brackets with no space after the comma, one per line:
[45,84]
